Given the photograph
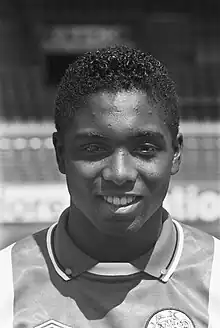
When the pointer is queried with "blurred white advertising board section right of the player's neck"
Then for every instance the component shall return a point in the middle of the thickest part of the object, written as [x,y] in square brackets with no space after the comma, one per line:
[195,203]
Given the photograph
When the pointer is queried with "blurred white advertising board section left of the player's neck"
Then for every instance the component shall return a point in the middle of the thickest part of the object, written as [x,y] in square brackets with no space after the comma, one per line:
[32,202]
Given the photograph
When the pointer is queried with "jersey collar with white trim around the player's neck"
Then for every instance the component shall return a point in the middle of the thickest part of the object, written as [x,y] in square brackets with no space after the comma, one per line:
[69,261]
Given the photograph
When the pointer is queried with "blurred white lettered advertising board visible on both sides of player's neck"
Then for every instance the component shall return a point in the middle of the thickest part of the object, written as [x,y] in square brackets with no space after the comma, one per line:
[195,203]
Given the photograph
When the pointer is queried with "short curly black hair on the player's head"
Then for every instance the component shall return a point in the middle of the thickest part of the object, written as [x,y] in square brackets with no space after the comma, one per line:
[113,69]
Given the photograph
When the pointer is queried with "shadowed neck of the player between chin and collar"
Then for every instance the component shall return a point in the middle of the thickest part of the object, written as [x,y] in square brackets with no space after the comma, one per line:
[108,248]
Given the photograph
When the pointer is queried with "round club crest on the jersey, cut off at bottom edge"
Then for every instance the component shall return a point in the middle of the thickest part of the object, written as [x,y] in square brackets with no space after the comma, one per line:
[170,318]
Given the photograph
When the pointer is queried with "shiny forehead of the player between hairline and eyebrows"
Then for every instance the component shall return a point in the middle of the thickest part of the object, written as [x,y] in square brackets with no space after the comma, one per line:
[120,113]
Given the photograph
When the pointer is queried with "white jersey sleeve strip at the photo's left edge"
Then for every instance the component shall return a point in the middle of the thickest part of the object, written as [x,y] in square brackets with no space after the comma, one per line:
[6,288]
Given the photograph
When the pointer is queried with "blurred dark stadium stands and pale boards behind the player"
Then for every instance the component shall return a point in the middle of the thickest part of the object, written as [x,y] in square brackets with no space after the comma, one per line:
[39,38]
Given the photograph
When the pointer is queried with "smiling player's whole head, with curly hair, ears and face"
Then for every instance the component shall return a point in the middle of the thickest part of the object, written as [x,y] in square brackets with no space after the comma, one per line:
[117,139]
